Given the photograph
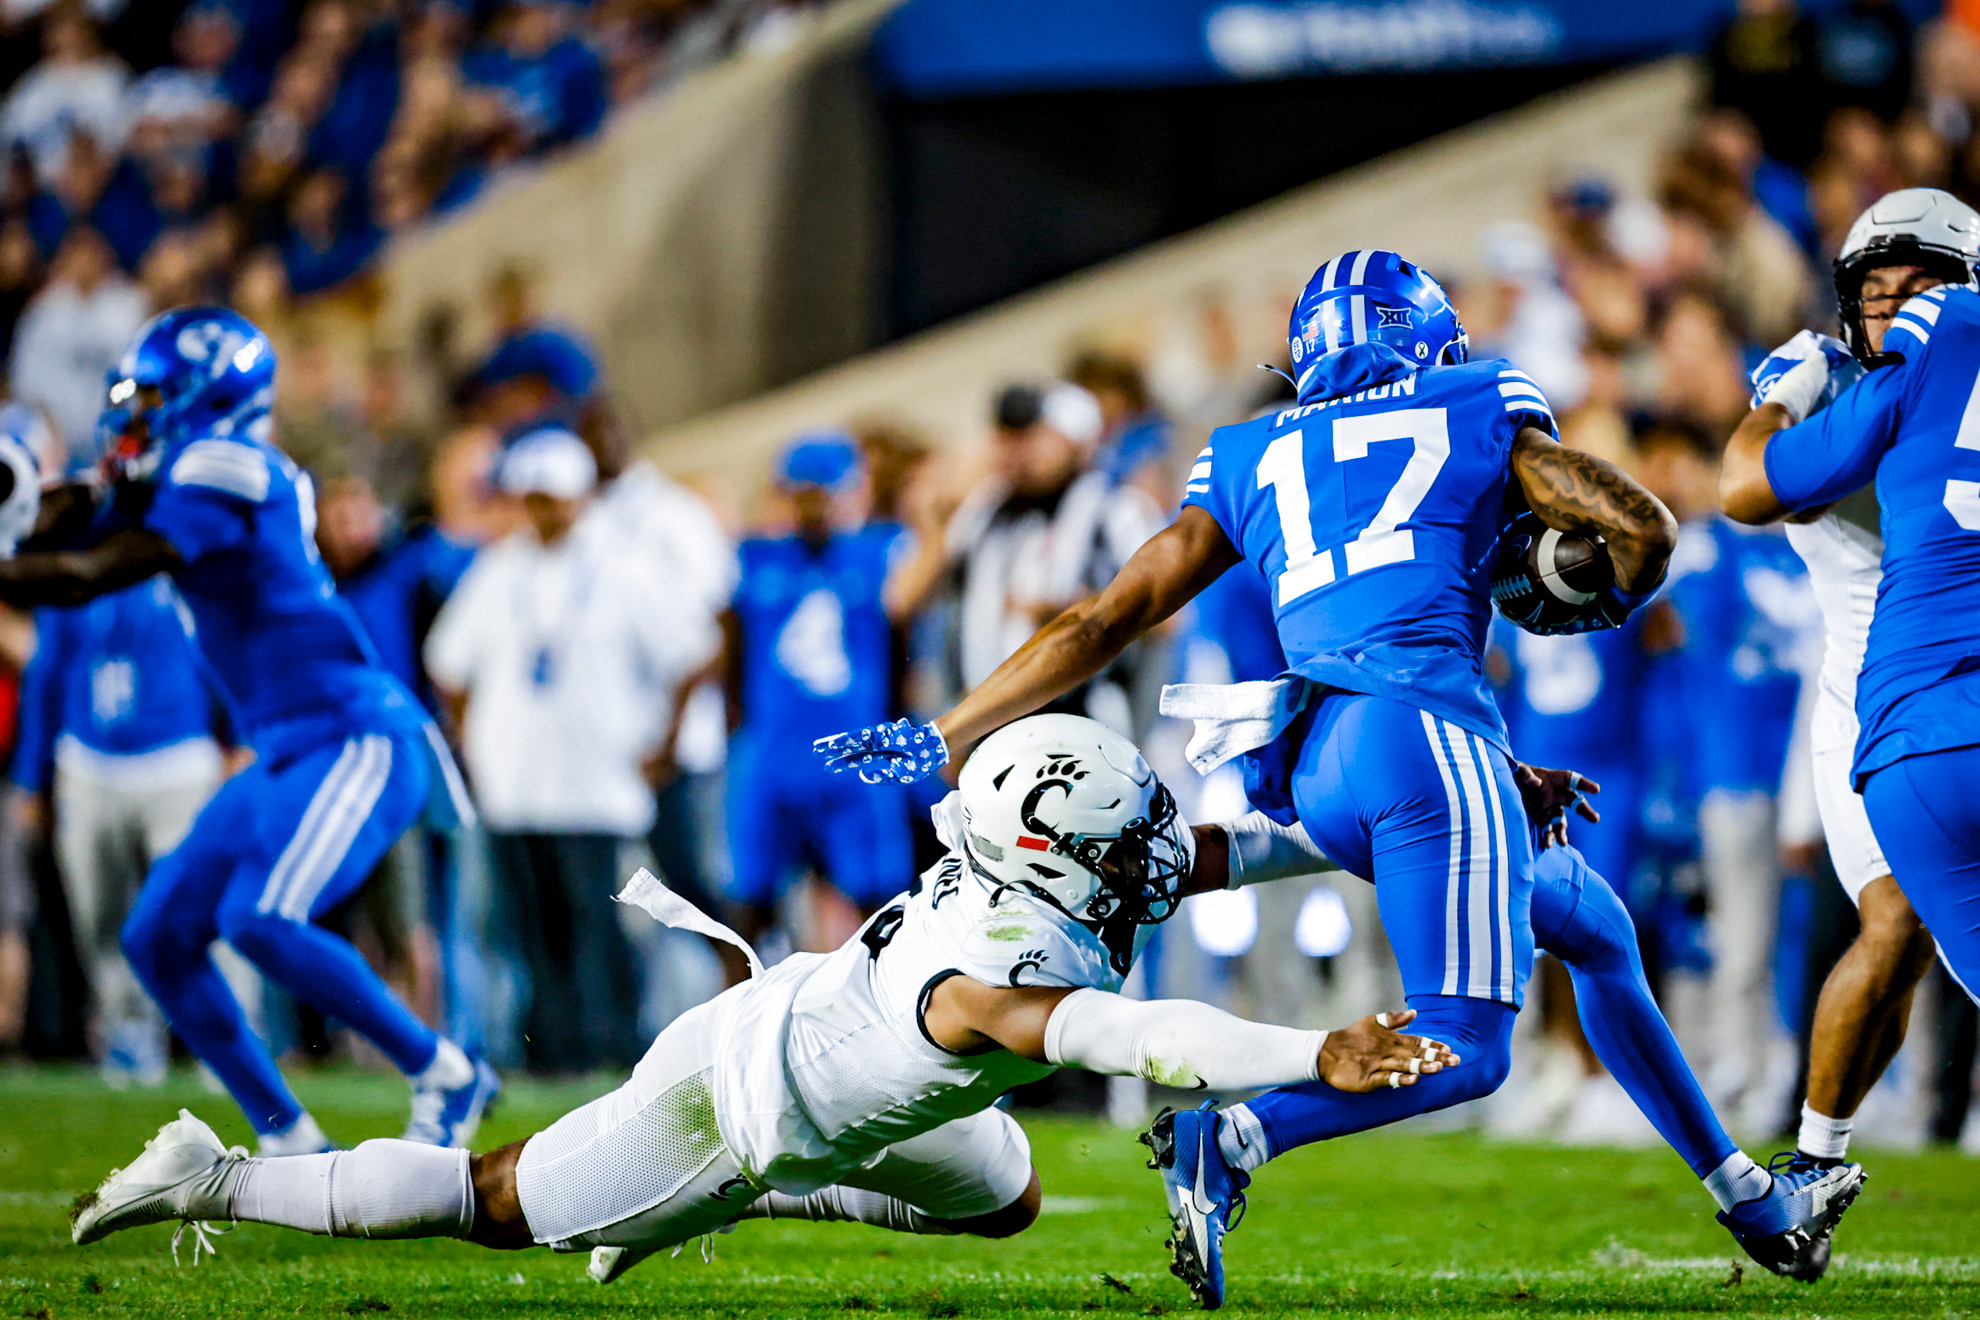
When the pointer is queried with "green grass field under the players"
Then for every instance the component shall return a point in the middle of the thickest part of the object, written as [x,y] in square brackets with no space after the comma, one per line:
[1411,1226]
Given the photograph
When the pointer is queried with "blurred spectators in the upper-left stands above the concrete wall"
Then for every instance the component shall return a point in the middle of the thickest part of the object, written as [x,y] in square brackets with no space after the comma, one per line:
[264,153]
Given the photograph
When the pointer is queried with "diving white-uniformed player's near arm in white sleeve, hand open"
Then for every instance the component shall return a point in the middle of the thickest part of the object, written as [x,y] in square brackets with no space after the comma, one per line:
[1175,1042]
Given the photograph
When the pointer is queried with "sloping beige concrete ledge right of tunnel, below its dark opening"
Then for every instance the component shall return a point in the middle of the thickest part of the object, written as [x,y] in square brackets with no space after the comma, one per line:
[1427,201]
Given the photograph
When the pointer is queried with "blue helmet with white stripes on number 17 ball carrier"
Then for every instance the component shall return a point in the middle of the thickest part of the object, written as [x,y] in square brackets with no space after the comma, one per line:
[1381,298]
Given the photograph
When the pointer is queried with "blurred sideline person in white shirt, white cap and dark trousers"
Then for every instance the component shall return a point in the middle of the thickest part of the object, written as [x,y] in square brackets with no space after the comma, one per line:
[559,656]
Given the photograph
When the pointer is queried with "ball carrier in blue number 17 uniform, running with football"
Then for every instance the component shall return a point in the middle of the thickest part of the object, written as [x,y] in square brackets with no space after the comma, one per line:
[1375,508]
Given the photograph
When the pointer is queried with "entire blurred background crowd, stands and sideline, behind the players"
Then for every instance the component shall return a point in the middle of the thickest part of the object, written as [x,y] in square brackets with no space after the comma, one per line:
[635,668]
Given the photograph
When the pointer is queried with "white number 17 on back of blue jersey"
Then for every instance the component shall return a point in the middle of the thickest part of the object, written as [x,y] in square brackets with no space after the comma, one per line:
[1385,539]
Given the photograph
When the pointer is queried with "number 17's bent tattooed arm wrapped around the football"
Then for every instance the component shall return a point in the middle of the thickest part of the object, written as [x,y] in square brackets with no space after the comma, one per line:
[1577,492]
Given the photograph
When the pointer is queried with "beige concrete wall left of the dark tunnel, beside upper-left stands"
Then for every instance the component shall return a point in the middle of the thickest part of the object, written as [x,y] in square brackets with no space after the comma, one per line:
[714,242]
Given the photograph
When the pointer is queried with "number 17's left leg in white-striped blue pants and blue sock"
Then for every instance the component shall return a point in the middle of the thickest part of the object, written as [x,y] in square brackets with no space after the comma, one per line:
[1433,814]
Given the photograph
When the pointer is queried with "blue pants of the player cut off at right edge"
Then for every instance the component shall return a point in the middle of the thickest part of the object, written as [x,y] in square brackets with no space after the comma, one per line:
[1926,812]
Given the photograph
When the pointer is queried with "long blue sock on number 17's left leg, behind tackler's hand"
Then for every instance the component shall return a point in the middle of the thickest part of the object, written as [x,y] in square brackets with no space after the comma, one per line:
[1478,1030]
